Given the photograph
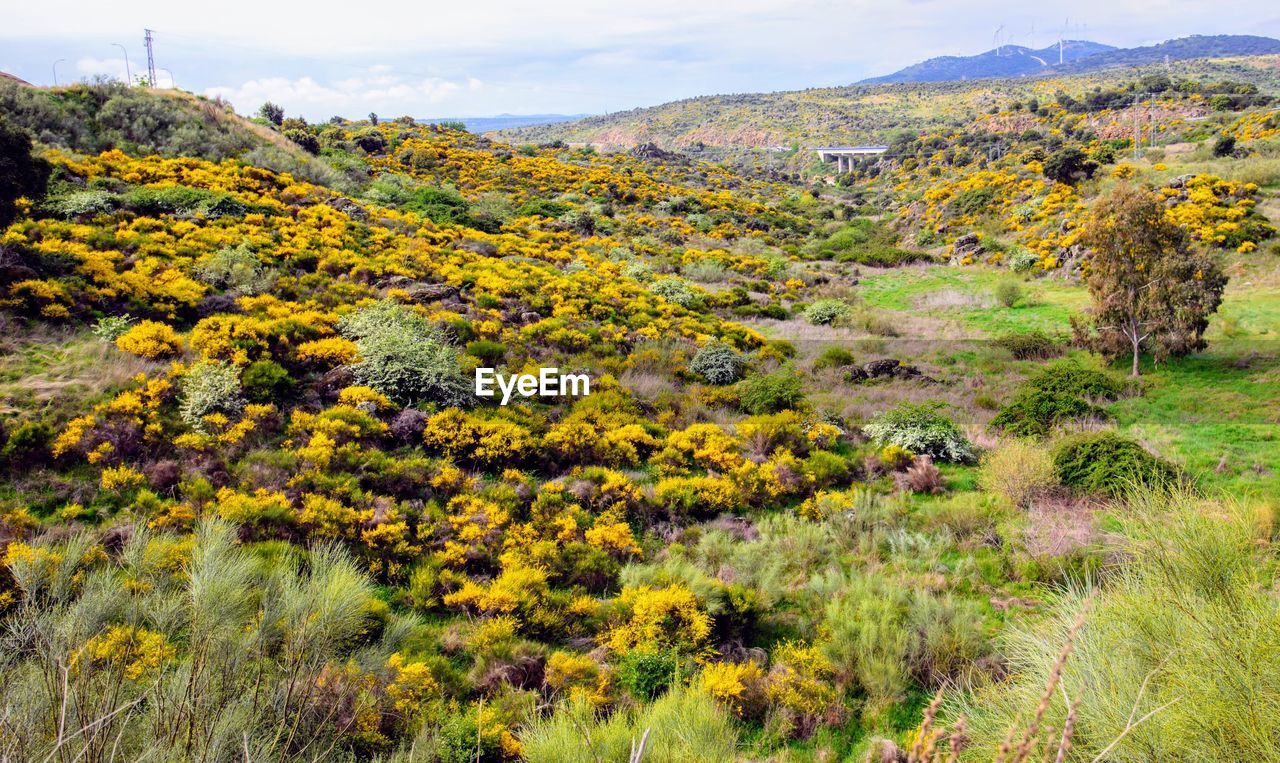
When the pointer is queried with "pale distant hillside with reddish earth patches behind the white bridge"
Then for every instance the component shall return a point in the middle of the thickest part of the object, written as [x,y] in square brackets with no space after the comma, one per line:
[854,115]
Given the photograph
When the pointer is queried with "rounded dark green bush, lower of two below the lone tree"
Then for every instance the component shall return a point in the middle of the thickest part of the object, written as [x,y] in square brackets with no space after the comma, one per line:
[1108,464]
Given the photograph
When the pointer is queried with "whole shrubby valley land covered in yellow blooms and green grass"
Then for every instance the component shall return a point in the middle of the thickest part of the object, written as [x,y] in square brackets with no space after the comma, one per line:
[851,481]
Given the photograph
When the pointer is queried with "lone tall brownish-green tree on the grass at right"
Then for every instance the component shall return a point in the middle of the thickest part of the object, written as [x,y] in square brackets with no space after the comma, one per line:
[1149,286]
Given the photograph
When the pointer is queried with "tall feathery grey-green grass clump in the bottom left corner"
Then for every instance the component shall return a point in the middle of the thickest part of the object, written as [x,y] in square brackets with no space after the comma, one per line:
[239,652]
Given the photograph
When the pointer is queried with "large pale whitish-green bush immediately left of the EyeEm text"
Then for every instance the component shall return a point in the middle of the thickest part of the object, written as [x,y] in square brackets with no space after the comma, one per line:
[405,357]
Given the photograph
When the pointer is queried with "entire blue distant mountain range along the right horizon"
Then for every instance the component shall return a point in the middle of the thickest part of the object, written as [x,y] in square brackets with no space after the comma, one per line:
[1078,57]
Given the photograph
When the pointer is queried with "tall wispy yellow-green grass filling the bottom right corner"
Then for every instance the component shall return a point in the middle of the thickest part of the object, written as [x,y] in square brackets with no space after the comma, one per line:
[1177,661]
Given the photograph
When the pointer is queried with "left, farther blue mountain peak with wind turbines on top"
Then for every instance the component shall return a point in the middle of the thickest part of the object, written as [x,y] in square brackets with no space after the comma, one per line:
[1009,61]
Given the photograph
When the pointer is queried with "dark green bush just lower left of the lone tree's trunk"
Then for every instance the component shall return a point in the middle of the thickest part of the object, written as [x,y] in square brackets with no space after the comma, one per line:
[1059,394]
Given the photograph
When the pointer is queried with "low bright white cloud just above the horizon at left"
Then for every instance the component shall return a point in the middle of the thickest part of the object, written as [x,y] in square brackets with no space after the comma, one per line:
[377,89]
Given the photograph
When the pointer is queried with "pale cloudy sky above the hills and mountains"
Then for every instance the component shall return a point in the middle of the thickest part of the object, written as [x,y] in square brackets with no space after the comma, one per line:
[481,58]
